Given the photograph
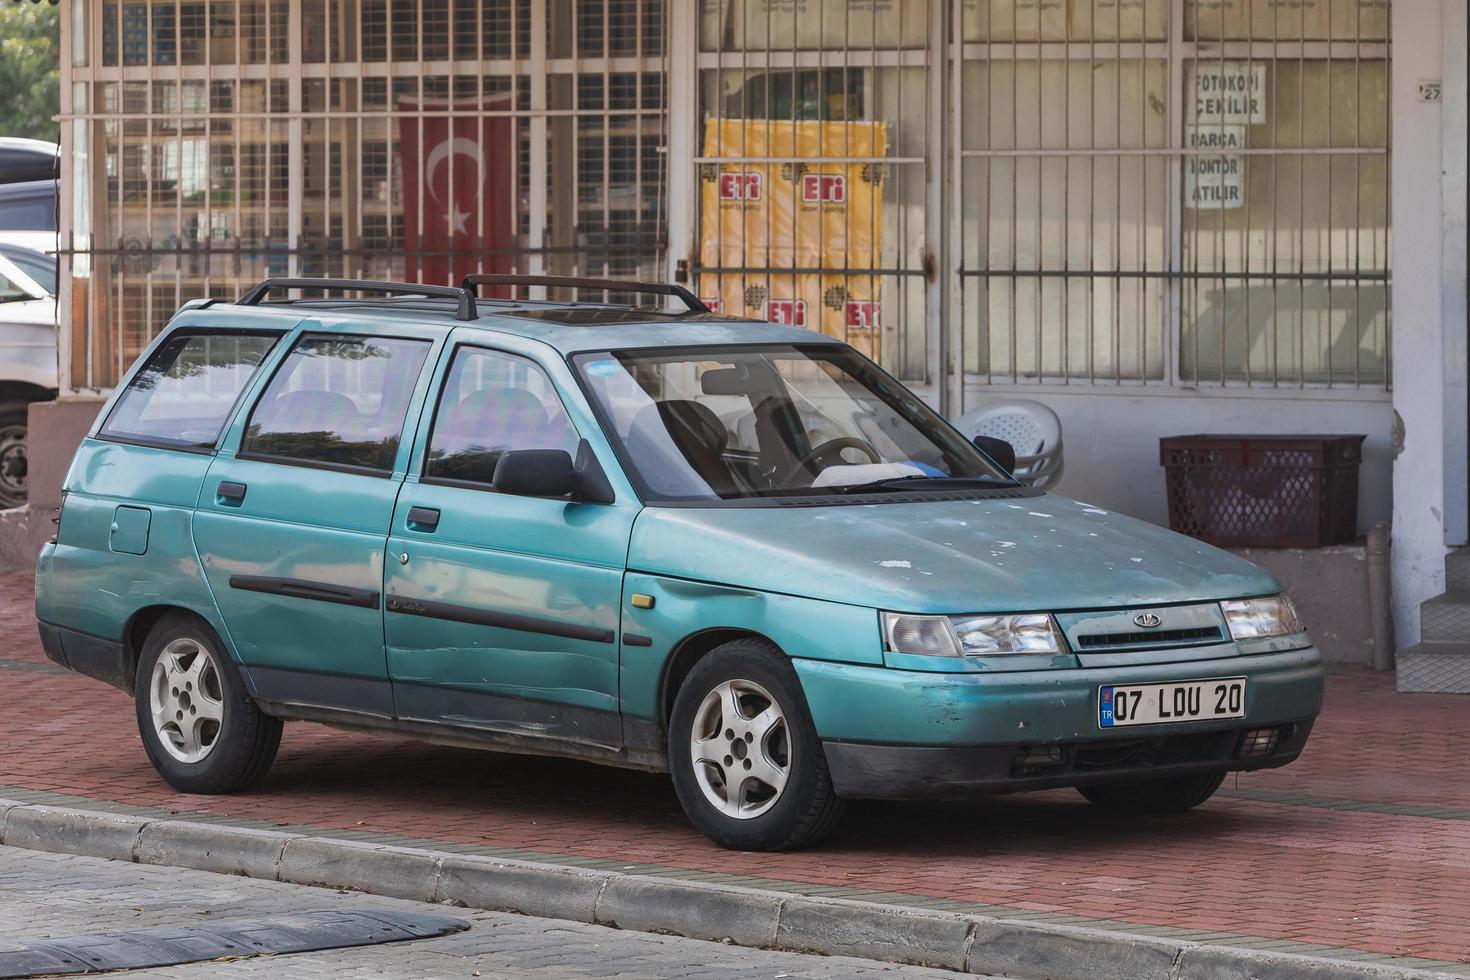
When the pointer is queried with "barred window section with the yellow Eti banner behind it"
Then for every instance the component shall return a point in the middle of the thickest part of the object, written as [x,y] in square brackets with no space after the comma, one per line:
[815,134]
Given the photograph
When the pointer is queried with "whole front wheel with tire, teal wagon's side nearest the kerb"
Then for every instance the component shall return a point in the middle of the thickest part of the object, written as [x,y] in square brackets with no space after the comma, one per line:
[742,712]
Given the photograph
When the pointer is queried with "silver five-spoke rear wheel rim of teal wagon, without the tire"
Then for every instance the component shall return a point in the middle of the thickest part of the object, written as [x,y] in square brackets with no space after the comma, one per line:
[186,700]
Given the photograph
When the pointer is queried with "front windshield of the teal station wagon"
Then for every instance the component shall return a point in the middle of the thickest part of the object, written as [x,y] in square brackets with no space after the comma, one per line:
[792,421]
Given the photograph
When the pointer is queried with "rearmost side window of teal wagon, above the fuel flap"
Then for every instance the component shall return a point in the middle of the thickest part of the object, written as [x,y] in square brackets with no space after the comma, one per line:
[186,392]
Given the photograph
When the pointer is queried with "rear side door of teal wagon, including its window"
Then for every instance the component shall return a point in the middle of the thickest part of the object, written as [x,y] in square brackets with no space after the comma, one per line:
[293,516]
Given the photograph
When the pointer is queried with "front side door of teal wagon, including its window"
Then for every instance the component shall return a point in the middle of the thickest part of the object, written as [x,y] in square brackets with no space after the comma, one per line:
[502,612]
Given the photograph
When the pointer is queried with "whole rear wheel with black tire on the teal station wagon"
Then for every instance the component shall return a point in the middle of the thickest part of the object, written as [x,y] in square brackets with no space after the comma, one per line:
[199,728]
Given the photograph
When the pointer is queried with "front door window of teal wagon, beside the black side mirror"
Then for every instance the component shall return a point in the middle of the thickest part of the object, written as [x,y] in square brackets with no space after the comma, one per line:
[492,405]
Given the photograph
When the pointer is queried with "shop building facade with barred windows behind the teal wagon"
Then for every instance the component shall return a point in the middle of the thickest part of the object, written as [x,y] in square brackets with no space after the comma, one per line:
[1159,217]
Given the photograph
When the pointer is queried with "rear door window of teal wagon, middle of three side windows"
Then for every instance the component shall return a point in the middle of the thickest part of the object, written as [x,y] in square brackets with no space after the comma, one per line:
[337,400]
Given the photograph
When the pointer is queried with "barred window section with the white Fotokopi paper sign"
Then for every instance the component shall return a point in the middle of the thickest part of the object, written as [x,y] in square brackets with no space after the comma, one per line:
[1183,192]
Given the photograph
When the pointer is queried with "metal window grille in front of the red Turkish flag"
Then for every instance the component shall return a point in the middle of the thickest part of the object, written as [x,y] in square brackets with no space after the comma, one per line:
[223,142]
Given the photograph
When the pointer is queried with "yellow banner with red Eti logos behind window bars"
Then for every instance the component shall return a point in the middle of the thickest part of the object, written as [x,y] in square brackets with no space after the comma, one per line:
[799,214]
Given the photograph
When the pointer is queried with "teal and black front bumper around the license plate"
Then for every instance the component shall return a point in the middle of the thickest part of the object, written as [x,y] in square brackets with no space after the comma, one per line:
[908,735]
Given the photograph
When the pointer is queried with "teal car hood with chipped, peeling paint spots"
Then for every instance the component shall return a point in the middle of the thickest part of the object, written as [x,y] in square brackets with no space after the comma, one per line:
[1039,553]
